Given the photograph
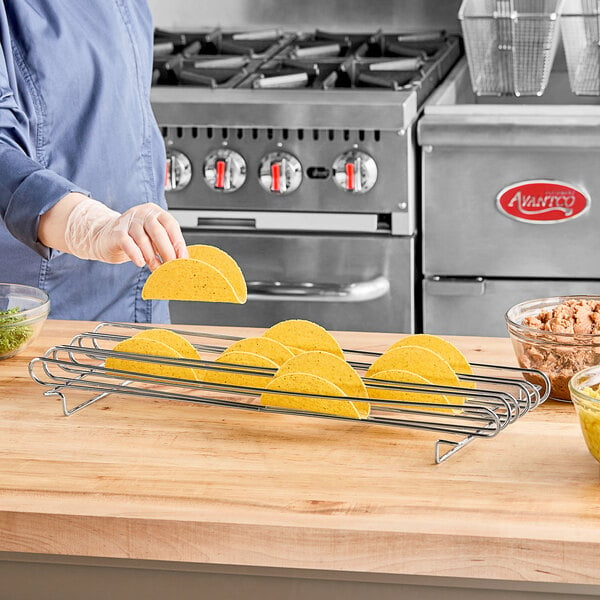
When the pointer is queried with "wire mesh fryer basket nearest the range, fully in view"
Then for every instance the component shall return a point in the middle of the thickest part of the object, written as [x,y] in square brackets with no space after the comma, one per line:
[510,44]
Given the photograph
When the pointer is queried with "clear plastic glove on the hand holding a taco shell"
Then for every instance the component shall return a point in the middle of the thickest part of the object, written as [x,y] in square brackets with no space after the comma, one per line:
[144,234]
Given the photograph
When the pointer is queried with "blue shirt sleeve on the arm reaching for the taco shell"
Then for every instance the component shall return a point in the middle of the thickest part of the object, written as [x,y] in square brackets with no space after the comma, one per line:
[27,188]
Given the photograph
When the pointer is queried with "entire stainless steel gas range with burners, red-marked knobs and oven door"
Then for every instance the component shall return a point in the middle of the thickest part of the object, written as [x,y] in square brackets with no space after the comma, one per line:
[297,154]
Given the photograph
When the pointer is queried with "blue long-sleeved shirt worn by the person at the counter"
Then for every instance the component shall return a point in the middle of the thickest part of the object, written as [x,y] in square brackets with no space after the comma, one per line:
[75,115]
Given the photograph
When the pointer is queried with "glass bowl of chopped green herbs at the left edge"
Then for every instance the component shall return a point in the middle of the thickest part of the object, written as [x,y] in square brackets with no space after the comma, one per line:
[23,310]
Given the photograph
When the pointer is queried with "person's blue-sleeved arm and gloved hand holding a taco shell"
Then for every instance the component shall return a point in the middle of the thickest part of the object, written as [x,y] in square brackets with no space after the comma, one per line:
[46,211]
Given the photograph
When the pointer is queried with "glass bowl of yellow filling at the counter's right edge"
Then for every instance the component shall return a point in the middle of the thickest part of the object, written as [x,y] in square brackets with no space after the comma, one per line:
[584,387]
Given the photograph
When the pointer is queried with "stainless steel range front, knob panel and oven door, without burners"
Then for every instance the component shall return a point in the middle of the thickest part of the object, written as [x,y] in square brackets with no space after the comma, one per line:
[343,259]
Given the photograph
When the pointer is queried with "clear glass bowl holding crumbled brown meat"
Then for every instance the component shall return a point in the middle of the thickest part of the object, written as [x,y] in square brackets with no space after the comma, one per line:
[558,354]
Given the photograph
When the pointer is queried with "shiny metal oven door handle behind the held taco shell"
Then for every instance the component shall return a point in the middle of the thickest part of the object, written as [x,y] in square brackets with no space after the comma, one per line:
[361,291]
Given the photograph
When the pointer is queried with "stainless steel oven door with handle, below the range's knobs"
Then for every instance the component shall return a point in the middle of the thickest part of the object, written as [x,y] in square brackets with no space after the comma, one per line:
[355,282]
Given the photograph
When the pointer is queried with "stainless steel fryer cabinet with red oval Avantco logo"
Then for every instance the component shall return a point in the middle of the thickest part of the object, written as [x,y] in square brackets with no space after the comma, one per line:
[510,187]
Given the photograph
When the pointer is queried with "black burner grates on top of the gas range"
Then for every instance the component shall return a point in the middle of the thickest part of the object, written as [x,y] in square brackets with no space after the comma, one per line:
[318,60]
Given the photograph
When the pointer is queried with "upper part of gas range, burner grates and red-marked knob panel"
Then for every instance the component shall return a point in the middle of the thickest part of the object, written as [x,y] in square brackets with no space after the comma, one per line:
[310,122]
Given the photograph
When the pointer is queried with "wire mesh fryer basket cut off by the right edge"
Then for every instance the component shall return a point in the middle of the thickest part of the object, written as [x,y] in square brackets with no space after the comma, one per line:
[580,28]
